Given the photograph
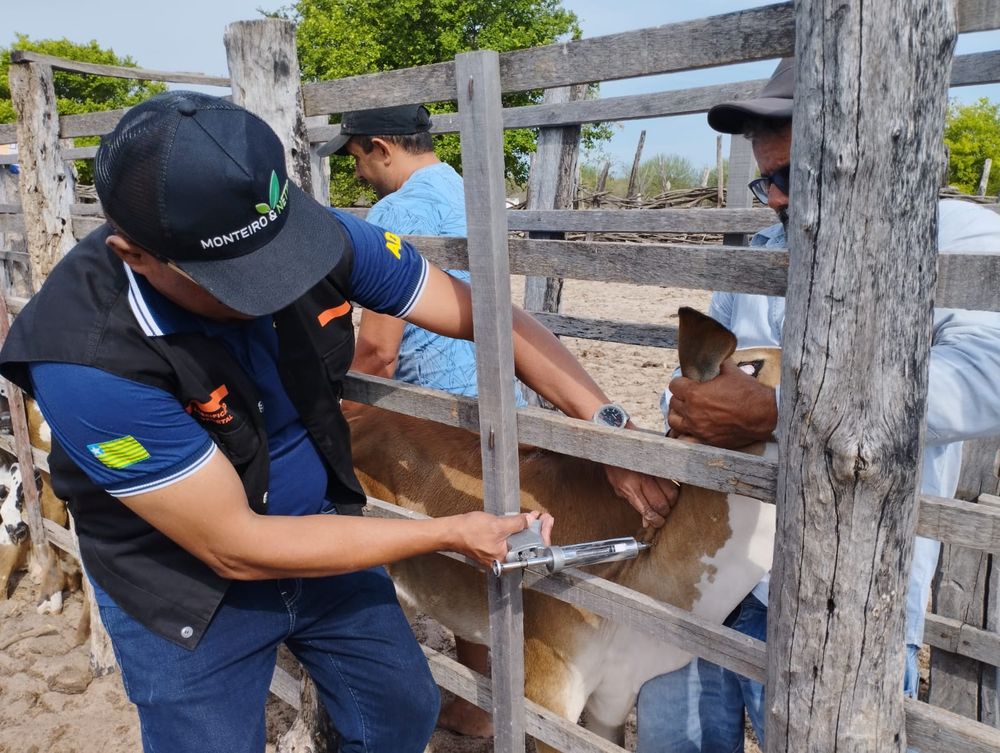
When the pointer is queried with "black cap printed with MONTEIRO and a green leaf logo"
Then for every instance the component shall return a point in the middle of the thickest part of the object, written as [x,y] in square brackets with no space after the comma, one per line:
[201,182]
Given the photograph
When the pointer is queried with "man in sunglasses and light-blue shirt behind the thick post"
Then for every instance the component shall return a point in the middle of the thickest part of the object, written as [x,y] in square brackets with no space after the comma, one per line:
[701,707]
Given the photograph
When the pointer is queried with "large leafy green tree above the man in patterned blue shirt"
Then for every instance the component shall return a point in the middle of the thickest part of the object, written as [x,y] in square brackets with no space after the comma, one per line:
[338,38]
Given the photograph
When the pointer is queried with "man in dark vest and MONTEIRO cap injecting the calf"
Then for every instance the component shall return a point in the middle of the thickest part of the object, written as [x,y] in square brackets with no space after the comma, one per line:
[188,356]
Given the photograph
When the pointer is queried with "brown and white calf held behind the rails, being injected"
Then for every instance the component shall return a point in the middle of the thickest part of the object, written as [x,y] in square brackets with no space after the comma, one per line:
[709,555]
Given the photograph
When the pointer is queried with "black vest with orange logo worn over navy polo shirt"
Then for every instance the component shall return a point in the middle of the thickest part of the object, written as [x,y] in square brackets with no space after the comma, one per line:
[82,316]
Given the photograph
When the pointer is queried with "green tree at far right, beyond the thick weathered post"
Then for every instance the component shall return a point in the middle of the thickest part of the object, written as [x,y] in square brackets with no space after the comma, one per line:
[972,133]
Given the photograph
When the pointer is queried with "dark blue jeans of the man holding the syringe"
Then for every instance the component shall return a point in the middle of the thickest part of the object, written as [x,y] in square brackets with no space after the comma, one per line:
[349,633]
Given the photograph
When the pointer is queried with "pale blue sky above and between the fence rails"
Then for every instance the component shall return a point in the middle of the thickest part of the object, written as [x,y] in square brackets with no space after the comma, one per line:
[186,35]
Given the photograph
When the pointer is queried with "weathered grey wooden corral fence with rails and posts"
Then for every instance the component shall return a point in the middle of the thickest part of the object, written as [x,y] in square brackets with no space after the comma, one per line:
[817,701]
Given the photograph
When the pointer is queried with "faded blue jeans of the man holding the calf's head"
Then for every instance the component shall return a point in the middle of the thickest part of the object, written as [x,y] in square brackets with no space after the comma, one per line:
[699,708]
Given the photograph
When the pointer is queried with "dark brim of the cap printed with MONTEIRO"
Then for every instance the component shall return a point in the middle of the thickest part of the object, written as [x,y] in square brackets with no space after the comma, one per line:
[308,246]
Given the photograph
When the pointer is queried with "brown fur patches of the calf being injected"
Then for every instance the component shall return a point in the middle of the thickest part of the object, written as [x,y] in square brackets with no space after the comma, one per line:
[436,470]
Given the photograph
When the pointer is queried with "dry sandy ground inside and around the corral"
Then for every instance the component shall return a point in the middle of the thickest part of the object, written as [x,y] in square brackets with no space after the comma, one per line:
[49,701]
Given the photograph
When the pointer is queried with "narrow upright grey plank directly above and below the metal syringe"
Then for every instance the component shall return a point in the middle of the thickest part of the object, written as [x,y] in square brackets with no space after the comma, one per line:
[477,76]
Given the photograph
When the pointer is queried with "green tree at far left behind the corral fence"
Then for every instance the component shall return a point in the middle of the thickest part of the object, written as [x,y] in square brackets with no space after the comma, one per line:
[78,92]
